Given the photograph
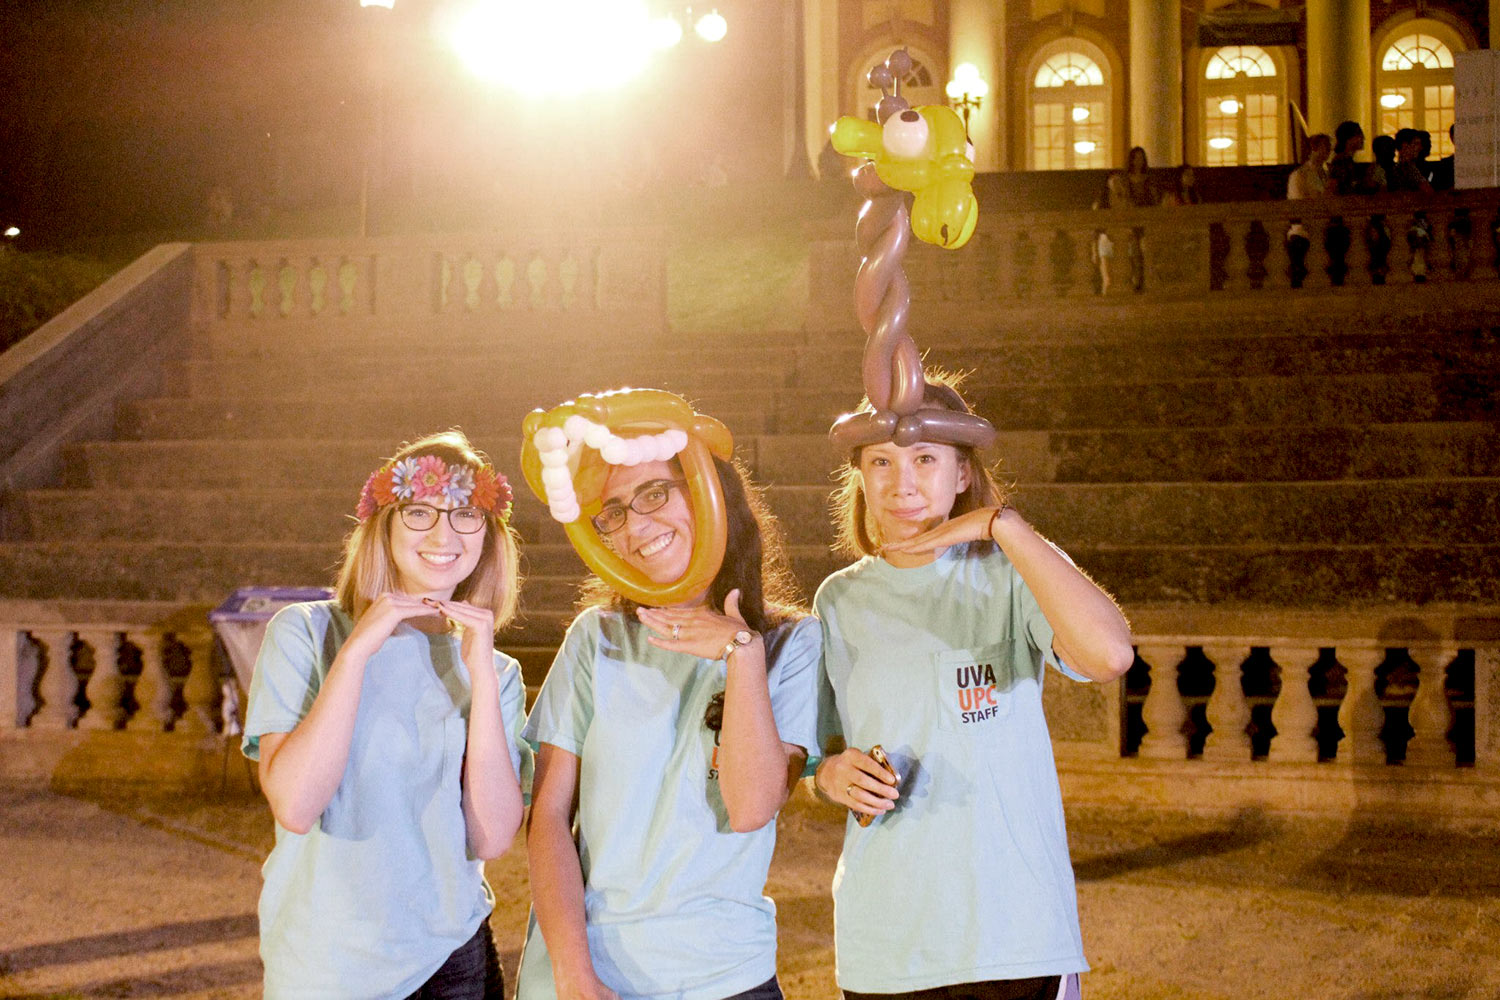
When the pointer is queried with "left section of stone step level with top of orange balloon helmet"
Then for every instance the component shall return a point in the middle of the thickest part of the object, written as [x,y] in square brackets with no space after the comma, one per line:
[311,421]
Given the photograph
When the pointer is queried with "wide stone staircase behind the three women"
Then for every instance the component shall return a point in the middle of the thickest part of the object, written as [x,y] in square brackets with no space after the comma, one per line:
[1304,463]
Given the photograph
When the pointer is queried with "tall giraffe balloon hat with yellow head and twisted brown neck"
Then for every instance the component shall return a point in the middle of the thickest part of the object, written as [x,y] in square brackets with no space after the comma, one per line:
[925,152]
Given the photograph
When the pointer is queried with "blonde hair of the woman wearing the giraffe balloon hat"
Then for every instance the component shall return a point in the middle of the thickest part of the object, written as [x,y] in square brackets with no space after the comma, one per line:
[856,531]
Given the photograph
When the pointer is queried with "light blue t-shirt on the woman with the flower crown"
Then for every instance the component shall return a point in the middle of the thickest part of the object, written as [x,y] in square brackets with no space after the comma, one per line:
[377,896]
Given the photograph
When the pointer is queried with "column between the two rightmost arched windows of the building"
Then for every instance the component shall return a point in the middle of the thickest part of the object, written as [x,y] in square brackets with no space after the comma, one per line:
[1339,64]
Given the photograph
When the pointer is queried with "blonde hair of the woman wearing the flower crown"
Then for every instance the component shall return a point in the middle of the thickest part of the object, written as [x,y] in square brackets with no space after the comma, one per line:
[368,567]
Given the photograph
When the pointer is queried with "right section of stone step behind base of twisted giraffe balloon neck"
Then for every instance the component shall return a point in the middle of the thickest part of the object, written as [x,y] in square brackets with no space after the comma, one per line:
[1142,361]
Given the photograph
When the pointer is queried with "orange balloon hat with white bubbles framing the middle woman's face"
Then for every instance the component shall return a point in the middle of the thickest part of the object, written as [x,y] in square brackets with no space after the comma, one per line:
[566,455]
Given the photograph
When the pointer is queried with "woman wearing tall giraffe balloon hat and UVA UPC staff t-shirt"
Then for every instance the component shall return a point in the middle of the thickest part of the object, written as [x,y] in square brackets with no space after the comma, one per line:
[938,639]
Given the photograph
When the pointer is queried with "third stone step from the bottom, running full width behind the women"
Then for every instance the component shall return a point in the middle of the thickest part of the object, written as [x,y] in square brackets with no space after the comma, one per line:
[1382,452]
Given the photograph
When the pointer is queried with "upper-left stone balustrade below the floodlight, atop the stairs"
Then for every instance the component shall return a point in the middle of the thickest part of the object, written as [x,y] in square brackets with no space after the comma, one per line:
[614,277]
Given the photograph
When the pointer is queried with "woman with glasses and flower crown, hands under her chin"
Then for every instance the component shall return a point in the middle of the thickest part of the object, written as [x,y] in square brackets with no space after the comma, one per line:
[388,734]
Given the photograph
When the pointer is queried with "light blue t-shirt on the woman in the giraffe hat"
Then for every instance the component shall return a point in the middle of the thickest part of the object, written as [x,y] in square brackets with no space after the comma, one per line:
[968,879]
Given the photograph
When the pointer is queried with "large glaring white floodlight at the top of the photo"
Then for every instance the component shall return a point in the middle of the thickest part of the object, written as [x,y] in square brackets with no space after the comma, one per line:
[556,49]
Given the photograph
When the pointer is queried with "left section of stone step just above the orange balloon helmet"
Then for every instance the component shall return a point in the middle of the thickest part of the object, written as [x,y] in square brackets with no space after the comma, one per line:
[545,377]
